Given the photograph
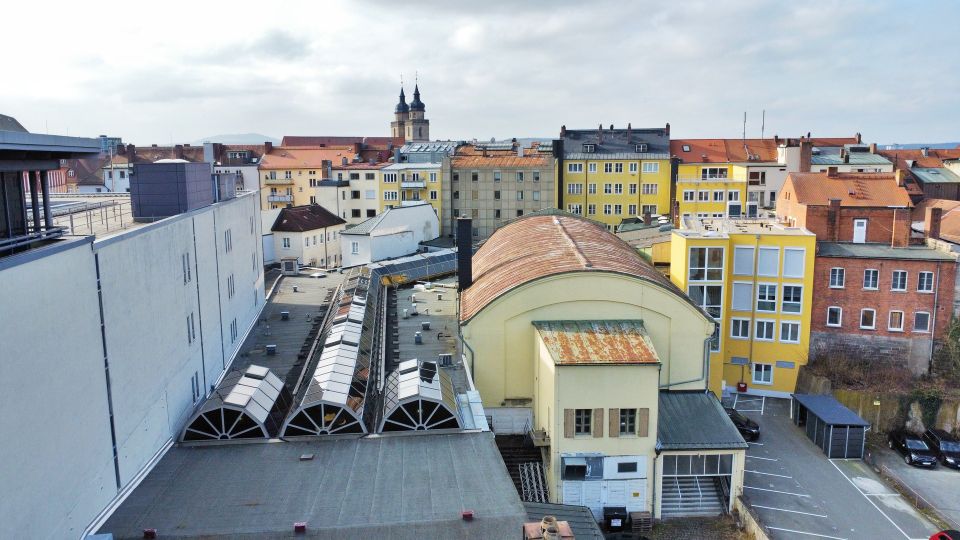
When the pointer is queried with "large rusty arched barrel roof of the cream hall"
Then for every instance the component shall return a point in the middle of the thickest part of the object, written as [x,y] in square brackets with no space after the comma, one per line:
[538,246]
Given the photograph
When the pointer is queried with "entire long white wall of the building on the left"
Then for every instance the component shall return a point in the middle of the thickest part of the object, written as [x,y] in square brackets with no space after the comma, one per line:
[57,451]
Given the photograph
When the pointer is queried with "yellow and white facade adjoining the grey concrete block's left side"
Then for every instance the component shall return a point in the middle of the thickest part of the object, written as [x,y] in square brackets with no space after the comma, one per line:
[412,183]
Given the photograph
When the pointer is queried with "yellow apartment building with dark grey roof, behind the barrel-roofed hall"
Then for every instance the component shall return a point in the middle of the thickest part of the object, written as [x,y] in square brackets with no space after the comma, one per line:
[612,174]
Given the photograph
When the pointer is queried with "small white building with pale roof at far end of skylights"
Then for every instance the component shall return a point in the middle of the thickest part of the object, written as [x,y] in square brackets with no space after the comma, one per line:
[395,232]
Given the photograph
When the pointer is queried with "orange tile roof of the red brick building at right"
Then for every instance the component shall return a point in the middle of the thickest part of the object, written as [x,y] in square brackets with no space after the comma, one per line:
[853,189]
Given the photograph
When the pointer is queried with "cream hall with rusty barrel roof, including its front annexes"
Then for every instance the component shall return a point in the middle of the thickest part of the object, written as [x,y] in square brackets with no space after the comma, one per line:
[574,338]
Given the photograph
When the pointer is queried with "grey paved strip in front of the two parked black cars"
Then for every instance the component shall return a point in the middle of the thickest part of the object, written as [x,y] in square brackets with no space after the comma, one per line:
[937,488]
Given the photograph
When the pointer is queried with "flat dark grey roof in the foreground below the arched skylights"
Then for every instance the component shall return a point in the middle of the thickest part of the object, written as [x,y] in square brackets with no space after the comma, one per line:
[403,486]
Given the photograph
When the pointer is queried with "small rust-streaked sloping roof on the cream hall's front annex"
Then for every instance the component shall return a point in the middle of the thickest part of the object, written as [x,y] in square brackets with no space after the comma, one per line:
[597,342]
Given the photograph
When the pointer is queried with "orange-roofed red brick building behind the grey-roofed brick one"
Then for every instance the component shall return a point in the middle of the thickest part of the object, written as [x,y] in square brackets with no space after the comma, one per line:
[848,207]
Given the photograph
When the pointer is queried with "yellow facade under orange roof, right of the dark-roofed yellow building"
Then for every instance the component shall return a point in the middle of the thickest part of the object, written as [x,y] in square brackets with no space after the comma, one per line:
[715,190]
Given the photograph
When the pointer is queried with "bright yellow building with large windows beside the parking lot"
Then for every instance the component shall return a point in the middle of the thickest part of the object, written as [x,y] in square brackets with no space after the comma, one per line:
[756,279]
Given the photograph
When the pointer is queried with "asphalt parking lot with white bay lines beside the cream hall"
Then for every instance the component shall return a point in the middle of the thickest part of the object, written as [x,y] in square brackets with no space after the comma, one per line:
[799,493]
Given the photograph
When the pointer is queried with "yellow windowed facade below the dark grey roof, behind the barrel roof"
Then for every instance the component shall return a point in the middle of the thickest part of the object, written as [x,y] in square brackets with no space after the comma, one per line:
[609,190]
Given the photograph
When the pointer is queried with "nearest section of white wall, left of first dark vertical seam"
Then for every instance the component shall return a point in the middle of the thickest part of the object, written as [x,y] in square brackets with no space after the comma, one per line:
[57,465]
